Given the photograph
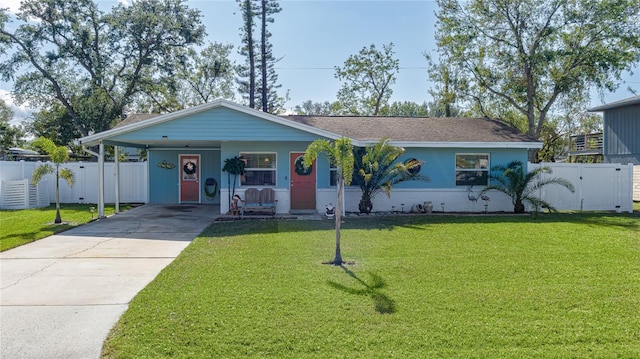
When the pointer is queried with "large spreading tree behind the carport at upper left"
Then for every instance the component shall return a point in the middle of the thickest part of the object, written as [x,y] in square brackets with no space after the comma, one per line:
[91,63]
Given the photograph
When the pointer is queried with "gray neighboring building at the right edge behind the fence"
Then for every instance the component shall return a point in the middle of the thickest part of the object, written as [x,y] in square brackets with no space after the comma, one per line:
[621,143]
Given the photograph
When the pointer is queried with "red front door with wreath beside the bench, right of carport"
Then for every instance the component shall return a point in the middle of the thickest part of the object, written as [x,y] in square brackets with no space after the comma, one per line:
[303,183]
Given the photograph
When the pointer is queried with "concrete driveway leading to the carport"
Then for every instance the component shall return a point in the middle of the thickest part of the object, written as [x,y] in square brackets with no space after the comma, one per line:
[61,295]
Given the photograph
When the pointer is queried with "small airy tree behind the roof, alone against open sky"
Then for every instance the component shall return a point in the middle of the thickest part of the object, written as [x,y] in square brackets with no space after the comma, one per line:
[367,78]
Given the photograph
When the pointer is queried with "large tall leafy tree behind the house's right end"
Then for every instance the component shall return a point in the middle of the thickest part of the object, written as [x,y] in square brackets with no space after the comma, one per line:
[526,55]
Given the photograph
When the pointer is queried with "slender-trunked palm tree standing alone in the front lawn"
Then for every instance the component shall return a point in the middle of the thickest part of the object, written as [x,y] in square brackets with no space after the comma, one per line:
[340,154]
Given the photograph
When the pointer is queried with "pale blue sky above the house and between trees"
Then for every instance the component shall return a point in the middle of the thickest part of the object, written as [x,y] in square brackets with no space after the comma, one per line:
[314,36]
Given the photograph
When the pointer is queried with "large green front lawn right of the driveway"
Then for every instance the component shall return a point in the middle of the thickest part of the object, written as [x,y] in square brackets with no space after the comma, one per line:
[559,286]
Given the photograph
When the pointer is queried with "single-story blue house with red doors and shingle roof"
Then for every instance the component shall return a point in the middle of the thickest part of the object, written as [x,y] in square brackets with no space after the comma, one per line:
[187,149]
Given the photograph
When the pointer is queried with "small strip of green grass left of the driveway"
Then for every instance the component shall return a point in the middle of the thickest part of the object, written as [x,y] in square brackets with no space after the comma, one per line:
[24,226]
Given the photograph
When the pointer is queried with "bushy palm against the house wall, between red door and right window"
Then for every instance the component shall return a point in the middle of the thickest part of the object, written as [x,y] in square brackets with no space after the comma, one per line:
[377,170]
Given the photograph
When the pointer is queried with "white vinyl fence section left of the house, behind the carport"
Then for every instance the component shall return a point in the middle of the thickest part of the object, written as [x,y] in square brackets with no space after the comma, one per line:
[133,182]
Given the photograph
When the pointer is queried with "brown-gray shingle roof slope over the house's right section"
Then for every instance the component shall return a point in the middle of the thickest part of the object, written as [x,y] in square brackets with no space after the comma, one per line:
[416,129]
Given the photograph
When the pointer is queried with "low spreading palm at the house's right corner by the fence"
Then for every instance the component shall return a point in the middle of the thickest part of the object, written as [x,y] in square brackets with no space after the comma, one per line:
[512,181]
